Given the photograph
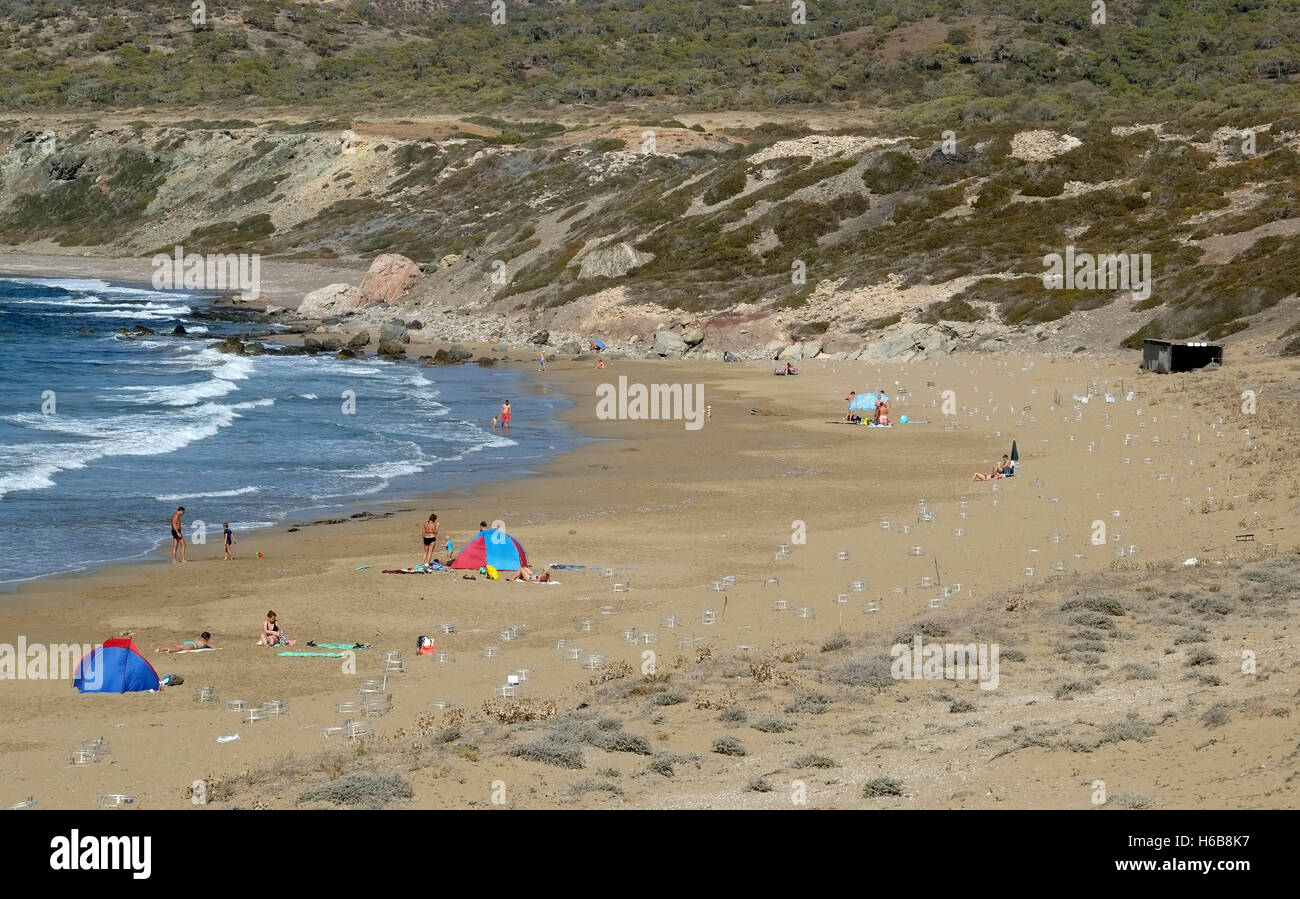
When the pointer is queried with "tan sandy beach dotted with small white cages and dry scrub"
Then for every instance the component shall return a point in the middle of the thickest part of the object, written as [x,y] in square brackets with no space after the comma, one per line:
[674,510]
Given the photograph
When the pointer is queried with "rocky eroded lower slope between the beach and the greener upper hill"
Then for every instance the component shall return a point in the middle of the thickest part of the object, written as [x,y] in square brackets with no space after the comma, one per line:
[579,228]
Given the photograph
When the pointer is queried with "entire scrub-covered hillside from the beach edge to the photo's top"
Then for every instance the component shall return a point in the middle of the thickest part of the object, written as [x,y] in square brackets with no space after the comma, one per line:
[850,181]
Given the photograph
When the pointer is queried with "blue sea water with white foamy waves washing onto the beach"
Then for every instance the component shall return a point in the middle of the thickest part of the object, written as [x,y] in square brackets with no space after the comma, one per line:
[102,437]
